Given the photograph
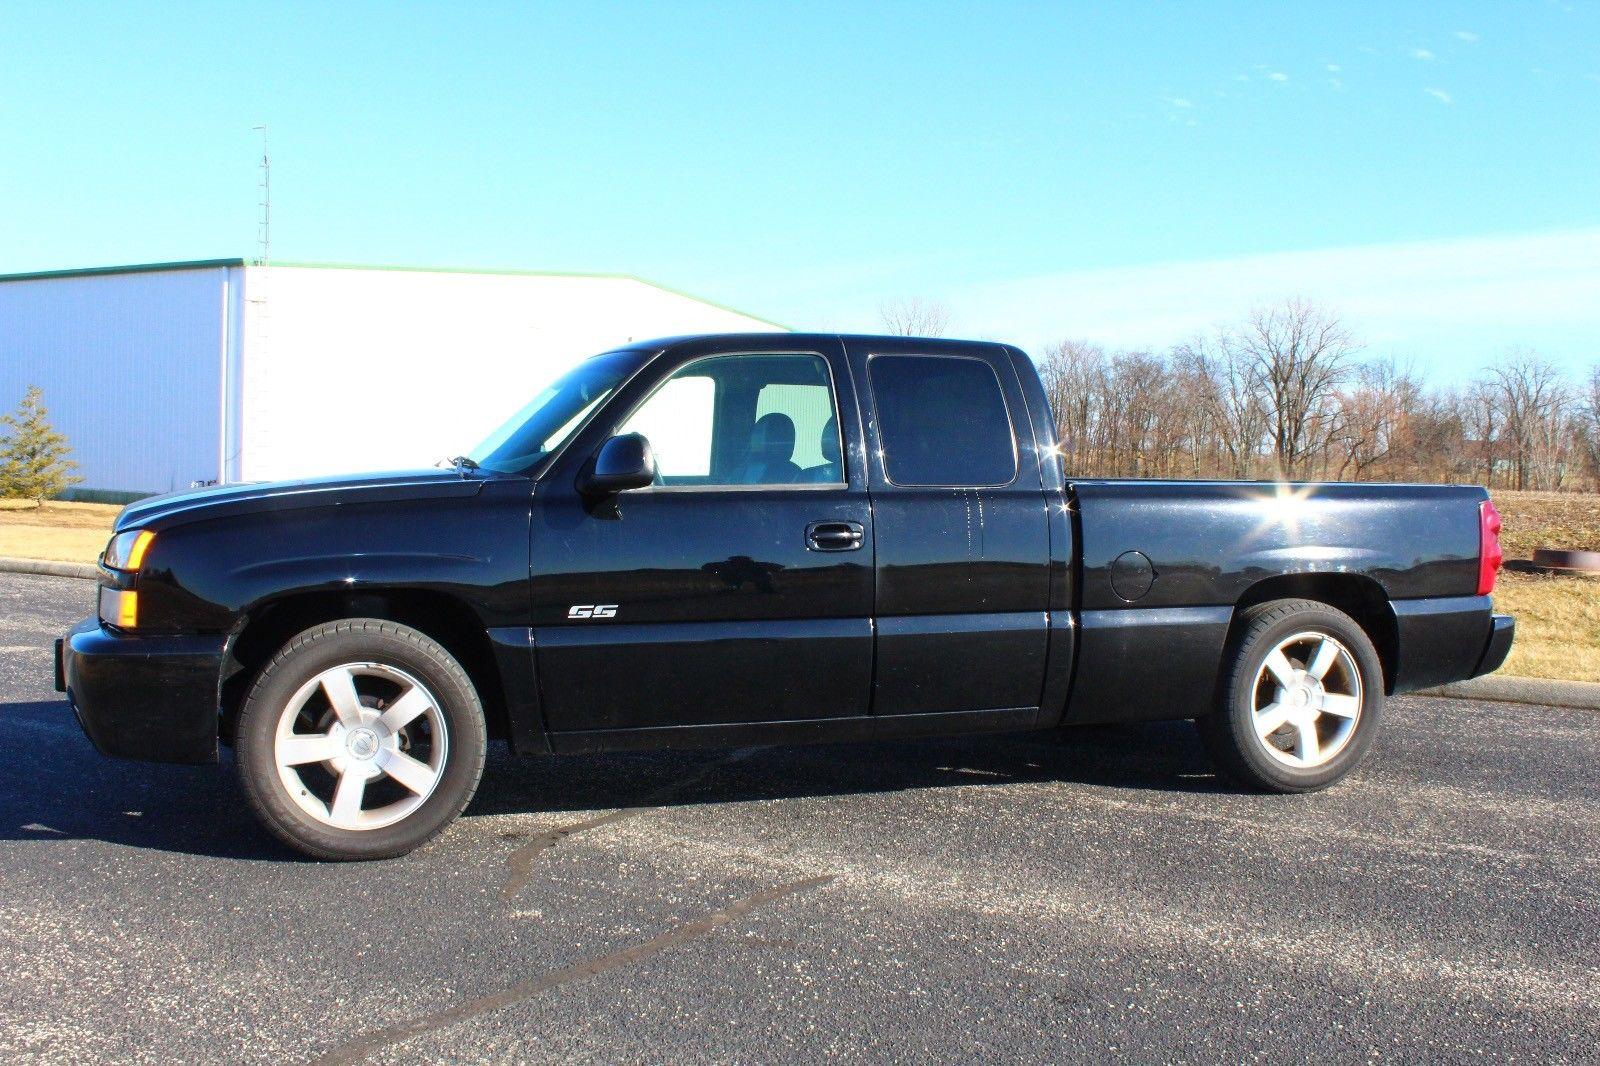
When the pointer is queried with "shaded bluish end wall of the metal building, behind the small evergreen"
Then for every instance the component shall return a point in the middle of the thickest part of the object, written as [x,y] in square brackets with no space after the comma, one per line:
[130,371]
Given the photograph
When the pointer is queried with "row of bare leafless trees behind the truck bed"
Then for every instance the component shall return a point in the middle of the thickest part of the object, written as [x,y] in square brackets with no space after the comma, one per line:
[1289,395]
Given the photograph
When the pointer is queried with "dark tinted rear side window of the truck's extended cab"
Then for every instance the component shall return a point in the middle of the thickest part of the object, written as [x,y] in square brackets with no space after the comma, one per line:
[943,422]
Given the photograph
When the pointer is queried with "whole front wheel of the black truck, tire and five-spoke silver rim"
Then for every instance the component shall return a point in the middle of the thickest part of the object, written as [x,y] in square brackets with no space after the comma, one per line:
[361,740]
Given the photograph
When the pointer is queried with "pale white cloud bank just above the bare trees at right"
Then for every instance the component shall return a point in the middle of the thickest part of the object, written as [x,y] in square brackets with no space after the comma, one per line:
[1450,303]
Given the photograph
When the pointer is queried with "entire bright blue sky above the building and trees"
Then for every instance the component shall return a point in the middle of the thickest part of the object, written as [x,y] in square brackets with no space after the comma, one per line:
[1124,174]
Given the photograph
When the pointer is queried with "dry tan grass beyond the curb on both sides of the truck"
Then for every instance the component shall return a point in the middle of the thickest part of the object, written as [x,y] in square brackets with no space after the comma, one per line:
[1558,617]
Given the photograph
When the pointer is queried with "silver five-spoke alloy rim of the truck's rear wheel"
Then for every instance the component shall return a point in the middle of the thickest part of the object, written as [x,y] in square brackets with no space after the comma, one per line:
[1308,700]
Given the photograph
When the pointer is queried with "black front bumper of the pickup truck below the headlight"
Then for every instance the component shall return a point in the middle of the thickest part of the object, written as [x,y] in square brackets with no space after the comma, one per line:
[143,697]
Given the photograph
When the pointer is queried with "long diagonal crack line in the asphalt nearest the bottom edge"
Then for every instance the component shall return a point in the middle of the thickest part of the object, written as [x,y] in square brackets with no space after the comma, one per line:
[364,1046]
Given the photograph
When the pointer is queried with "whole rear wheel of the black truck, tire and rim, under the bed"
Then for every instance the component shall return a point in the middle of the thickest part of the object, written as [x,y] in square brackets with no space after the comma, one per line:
[1302,702]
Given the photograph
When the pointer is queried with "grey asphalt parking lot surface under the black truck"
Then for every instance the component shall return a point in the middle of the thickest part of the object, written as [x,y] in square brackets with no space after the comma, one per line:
[1001,899]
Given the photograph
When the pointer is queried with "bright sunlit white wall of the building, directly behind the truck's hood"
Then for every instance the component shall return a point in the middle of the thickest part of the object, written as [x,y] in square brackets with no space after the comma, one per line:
[369,369]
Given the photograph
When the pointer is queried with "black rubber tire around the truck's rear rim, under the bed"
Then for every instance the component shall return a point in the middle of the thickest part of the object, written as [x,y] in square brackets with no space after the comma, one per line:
[1231,734]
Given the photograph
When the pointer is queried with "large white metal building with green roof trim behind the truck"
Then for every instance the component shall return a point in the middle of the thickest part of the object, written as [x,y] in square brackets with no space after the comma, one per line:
[167,377]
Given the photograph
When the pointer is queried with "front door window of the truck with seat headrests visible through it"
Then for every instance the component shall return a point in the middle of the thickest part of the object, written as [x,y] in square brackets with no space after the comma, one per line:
[745,420]
